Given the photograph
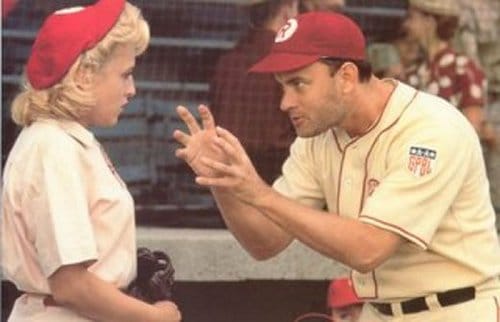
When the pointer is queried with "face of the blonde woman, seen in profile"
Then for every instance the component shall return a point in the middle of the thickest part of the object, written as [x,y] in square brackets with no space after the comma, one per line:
[113,87]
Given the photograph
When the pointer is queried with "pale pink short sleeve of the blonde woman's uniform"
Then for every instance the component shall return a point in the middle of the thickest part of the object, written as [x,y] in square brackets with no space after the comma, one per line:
[58,204]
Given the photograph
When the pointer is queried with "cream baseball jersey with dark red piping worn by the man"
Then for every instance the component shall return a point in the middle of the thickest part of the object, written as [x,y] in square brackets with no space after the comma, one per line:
[418,172]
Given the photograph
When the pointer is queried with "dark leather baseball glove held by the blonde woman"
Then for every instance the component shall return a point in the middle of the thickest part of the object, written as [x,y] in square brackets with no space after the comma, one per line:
[155,276]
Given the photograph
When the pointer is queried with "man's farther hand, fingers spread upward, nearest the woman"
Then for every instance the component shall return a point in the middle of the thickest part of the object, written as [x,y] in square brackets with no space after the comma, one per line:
[199,142]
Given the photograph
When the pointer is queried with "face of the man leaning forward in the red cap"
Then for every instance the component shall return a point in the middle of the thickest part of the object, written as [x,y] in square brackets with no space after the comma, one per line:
[312,98]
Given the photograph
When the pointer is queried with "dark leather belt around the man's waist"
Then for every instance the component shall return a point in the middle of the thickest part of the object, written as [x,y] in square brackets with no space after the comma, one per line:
[419,304]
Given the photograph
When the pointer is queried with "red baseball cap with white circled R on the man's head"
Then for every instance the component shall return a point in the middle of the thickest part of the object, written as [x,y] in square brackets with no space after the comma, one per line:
[309,37]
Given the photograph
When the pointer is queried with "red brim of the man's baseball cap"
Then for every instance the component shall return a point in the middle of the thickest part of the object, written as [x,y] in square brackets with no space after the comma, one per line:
[282,62]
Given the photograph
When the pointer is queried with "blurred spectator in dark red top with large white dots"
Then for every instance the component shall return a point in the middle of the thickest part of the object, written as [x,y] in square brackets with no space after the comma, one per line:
[446,73]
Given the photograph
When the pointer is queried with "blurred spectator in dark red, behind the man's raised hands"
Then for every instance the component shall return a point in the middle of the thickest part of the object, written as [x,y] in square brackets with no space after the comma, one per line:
[248,104]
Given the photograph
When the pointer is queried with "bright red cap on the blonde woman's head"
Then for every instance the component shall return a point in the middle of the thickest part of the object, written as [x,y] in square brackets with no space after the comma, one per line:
[66,34]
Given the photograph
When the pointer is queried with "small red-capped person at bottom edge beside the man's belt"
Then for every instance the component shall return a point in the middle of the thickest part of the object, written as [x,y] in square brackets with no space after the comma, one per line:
[342,300]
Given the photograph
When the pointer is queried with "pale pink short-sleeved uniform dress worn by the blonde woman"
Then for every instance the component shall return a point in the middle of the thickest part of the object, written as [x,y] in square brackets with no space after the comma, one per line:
[62,203]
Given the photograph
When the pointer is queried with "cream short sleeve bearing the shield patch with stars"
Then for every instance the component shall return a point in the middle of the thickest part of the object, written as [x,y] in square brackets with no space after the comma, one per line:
[425,171]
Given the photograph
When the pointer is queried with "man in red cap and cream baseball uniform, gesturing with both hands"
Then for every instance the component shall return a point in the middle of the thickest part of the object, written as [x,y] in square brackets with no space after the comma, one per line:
[399,172]
